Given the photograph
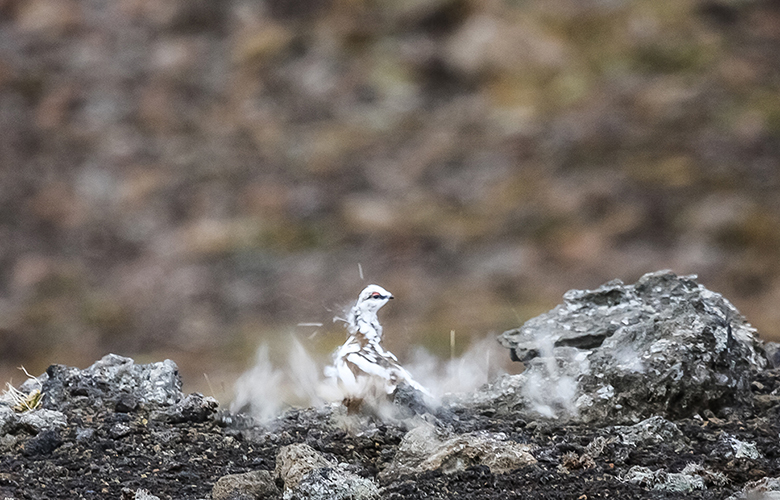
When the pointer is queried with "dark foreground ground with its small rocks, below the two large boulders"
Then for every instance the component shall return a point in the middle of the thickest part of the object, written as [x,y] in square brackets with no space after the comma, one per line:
[189,459]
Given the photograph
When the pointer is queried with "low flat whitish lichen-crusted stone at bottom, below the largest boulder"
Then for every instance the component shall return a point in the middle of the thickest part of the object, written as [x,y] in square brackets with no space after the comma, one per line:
[692,477]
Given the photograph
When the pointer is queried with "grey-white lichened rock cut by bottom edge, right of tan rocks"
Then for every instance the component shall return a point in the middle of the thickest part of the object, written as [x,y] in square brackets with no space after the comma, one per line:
[334,483]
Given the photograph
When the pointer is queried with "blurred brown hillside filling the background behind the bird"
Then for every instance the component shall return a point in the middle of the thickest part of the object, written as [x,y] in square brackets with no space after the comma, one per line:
[188,178]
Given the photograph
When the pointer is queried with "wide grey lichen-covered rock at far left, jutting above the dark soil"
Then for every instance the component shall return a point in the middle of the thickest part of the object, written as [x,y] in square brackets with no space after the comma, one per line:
[113,379]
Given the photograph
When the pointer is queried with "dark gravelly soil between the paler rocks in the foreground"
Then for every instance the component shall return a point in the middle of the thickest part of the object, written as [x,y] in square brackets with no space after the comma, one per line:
[103,452]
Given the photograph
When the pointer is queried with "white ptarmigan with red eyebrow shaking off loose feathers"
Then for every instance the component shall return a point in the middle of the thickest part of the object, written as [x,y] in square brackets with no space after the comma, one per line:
[363,369]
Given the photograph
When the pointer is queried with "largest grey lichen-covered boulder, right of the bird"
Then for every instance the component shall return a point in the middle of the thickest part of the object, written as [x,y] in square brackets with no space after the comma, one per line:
[663,346]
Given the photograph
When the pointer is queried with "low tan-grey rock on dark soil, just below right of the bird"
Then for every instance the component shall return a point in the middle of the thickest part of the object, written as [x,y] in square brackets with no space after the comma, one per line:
[426,449]
